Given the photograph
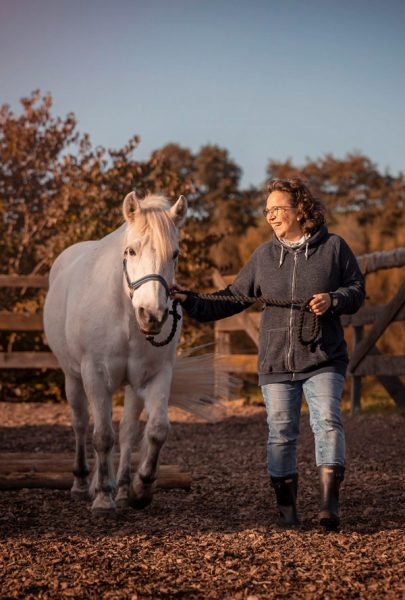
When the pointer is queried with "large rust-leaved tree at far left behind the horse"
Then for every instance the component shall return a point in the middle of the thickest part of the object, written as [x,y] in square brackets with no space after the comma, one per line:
[41,184]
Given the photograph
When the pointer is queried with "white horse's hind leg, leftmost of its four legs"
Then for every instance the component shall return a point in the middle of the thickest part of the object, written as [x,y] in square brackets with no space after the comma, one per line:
[80,421]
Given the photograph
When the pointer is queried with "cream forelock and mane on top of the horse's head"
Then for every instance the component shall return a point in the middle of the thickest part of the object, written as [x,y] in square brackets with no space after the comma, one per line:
[156,221]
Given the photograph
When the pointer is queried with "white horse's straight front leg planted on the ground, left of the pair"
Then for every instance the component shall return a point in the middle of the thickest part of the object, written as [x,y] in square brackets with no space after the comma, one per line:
[103,482]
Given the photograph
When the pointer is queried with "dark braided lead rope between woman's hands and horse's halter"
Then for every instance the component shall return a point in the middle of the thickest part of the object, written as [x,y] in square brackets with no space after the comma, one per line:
[302,304]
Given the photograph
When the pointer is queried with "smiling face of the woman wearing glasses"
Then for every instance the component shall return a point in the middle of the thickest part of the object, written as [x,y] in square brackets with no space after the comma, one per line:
[283,217]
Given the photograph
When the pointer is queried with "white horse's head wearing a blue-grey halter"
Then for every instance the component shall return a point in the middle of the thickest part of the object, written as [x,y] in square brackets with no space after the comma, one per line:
[150,256]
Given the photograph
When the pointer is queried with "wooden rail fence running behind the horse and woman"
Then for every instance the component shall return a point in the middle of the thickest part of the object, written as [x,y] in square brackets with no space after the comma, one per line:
[365,358]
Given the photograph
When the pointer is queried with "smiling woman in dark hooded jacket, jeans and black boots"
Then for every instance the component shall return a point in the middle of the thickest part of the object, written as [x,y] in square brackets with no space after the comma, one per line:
[301,261]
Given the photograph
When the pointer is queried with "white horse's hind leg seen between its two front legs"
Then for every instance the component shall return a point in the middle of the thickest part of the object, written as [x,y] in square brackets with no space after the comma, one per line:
[129,428]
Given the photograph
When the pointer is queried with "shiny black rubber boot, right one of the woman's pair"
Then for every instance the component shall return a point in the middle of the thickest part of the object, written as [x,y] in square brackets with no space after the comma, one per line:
[330,478]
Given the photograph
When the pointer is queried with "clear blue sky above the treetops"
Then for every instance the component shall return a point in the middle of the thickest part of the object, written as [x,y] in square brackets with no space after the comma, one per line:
[262,78]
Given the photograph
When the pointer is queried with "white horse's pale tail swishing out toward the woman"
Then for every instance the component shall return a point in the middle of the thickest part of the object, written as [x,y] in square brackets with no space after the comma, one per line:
[199,383]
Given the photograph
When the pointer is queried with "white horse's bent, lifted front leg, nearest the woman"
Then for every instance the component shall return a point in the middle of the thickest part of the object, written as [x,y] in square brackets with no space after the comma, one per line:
[156,396]
